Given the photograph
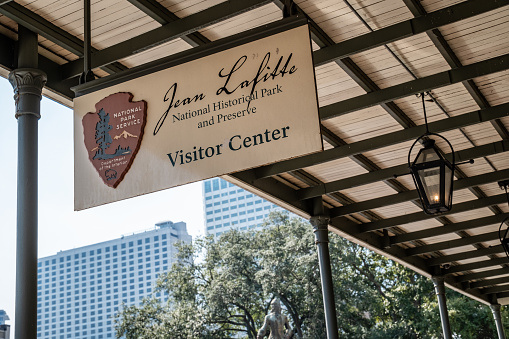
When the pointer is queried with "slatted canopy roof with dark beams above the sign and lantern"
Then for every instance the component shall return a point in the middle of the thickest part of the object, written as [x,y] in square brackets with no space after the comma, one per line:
[372,58]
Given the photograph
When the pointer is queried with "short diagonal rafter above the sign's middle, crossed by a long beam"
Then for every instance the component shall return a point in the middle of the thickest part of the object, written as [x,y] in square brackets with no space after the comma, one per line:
[163,16]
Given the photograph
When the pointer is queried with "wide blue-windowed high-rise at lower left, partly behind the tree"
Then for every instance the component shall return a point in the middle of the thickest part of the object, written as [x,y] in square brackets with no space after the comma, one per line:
[81,290]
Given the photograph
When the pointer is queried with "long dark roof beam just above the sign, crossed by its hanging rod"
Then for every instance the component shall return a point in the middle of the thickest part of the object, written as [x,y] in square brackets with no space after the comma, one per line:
[168,32]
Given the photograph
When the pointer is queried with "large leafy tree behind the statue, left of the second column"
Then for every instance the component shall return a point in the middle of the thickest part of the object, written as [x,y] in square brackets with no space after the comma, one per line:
[224,287]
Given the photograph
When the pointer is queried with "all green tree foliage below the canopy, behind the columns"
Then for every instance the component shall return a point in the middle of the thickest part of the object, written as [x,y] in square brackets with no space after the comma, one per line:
[223,288]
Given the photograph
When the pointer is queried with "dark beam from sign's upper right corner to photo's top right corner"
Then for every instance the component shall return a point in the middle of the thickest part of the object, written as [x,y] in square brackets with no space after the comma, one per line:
[405,29]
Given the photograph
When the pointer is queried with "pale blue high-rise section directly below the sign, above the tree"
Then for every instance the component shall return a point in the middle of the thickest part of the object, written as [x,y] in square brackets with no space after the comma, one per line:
[227,206]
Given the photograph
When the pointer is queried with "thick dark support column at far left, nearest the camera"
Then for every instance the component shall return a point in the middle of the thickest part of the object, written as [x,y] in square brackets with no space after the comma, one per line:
[27,82]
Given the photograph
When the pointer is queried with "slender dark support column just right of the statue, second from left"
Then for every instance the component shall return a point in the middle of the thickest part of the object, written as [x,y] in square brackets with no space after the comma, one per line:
[320,226]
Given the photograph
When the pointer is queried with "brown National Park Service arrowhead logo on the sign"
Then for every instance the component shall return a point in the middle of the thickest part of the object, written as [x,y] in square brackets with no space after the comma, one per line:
[113,135]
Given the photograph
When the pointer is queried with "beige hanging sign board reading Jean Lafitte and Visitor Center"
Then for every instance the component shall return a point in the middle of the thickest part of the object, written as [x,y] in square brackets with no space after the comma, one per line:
[240,108]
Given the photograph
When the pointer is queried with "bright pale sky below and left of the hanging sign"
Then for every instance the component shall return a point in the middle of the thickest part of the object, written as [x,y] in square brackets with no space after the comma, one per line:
[60,227]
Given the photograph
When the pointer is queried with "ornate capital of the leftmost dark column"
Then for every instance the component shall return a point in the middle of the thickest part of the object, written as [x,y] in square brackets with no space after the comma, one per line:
[27,84]
